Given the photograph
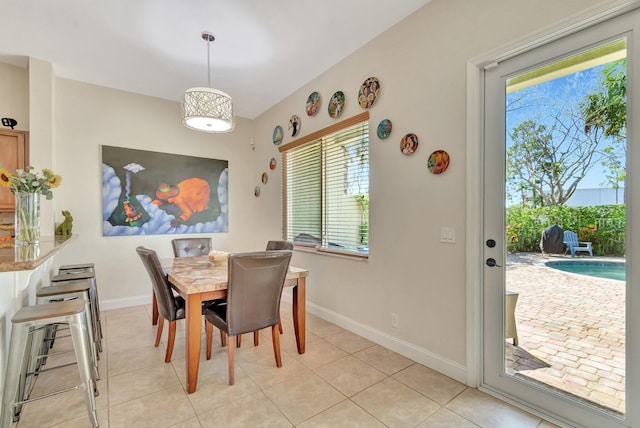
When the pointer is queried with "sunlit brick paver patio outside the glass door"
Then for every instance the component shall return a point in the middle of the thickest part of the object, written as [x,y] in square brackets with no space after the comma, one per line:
[571,330]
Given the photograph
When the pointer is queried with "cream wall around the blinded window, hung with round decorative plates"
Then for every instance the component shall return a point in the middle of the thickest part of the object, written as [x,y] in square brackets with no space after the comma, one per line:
[421,65]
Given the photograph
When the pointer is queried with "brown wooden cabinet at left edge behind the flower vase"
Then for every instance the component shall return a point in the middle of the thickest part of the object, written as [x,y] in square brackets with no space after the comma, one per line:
[14,154]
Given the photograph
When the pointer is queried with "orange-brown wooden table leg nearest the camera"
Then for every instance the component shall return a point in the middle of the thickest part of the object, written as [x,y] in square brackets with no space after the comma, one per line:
[193,320]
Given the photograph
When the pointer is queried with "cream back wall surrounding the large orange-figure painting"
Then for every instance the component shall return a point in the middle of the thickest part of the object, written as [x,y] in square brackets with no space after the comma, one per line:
[89,116]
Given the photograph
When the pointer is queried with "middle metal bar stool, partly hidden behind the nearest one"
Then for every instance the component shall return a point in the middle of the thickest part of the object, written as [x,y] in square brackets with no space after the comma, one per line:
[71,290]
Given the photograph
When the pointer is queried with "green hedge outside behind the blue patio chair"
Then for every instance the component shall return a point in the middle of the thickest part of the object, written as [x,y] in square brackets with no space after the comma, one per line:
[603,225]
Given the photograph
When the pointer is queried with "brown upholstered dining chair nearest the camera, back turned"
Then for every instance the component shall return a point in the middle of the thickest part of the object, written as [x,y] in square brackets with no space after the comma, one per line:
[254,291]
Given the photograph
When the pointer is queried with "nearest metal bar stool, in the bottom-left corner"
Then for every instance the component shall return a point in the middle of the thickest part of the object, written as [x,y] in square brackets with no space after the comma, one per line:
[25,323]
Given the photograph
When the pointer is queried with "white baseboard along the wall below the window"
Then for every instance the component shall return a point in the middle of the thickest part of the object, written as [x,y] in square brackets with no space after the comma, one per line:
[420,355]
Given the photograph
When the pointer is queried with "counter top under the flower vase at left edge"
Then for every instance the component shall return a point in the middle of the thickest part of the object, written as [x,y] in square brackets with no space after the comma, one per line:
[29,257]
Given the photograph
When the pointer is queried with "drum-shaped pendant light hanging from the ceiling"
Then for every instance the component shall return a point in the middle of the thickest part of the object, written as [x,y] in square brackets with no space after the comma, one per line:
[207,109]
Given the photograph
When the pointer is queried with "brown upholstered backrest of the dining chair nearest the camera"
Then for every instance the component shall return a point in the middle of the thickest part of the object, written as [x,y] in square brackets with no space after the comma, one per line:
[255,288]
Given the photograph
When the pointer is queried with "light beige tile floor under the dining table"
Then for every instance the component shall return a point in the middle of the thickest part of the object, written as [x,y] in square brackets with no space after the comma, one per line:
[343,380]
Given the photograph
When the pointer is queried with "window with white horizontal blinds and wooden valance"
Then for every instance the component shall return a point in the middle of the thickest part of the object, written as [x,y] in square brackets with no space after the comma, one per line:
[326,188]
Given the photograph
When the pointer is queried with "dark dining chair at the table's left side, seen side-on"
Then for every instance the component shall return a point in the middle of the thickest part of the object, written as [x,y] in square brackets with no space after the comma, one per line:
[170,307]
